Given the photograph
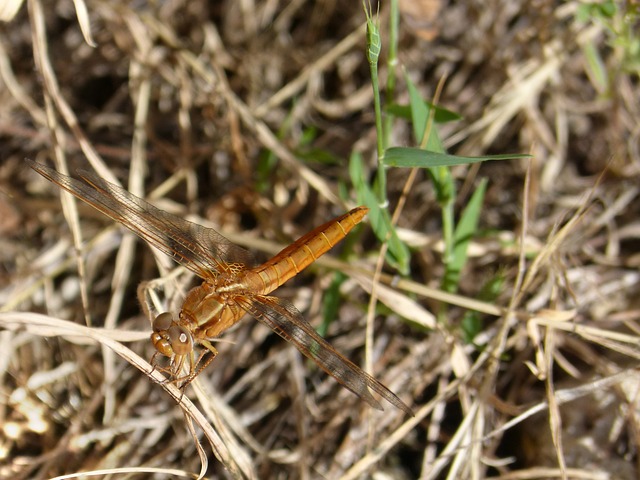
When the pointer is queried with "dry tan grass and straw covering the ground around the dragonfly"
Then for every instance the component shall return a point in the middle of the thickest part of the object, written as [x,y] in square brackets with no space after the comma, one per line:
[244,115]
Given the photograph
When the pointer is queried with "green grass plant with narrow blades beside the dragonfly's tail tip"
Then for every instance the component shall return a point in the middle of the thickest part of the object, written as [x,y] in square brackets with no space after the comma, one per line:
[429,154]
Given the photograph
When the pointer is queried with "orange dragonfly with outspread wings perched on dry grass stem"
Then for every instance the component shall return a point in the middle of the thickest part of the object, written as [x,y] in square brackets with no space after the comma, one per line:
[231,286]
